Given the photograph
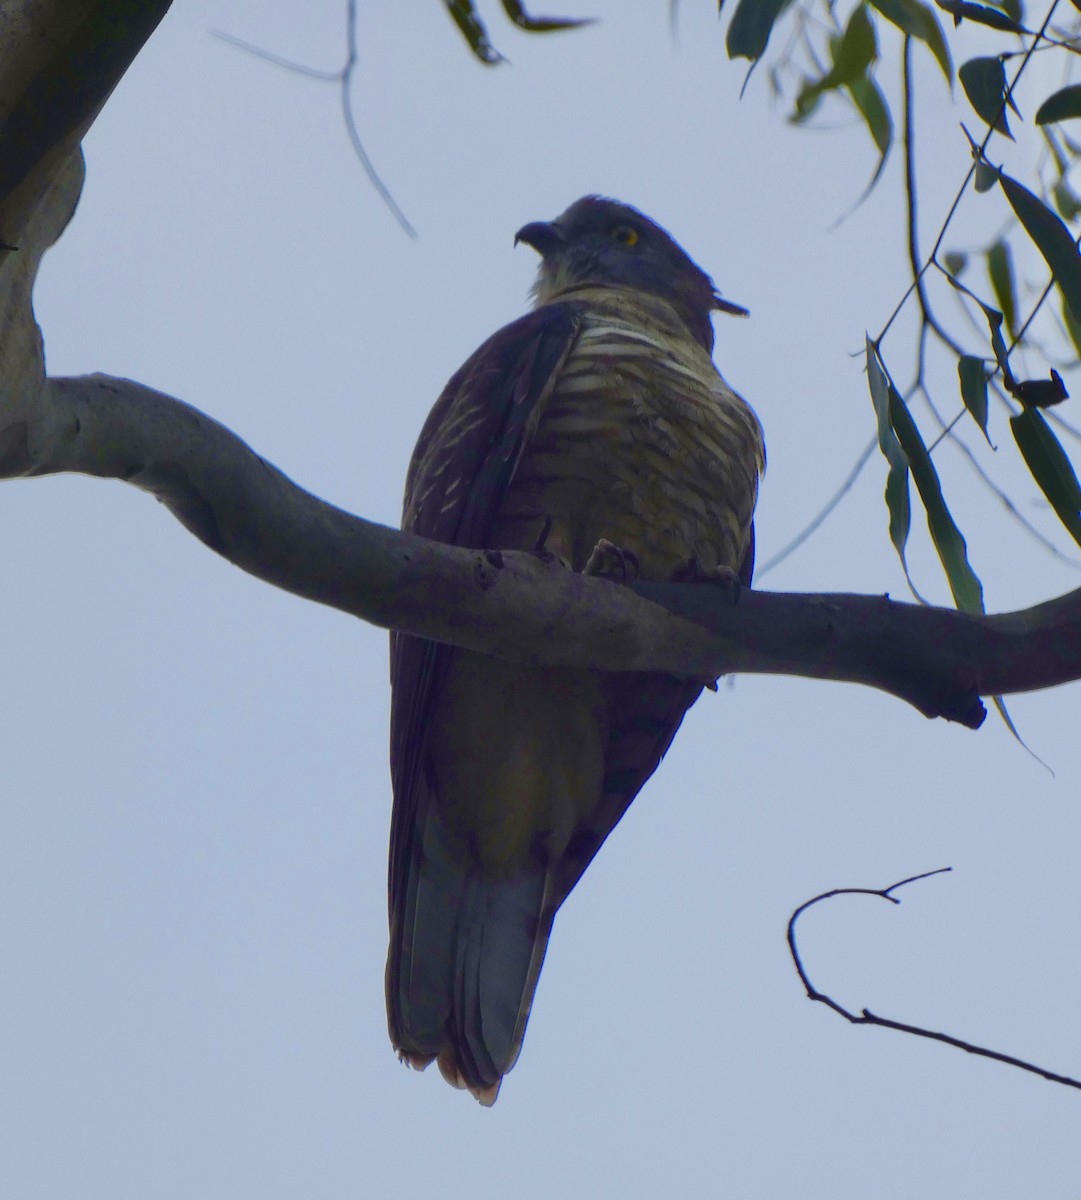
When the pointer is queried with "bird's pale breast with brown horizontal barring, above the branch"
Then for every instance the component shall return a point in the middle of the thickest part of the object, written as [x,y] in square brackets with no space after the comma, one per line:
[644,443]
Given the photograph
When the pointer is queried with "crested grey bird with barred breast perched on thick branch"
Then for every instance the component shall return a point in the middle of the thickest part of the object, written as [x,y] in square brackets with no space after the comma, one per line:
[597,421]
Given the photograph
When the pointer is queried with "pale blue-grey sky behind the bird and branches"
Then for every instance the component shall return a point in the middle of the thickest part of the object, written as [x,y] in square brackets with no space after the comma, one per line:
[193,845]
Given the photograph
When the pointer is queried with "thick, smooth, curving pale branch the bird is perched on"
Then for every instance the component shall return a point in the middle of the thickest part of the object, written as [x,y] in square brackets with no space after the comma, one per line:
[515,605]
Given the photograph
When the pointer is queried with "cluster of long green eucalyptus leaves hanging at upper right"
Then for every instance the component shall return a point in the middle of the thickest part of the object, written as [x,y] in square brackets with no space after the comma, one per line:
[827,55]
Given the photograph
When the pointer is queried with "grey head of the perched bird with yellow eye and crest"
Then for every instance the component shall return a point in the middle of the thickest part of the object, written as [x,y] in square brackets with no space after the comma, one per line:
[602,242]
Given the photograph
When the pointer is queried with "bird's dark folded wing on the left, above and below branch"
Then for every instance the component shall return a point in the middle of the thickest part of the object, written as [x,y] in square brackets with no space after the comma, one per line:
[461,469]
